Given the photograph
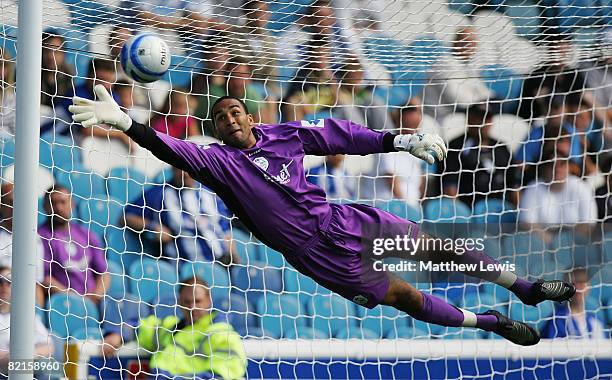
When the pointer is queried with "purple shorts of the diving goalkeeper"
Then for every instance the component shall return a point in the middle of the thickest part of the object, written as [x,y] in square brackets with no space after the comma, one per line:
[336,257]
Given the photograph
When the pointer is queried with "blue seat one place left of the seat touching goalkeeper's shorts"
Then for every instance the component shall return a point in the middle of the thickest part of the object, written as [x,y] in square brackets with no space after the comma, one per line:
[280,314]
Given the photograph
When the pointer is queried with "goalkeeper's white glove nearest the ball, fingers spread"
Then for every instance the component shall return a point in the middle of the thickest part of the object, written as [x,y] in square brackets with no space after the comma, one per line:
[102,111]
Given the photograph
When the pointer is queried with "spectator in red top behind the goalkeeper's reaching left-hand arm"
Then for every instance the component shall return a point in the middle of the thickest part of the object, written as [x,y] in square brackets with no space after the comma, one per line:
[175,117]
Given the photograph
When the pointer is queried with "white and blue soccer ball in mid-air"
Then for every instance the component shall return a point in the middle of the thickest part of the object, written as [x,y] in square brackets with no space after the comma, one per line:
[145,58]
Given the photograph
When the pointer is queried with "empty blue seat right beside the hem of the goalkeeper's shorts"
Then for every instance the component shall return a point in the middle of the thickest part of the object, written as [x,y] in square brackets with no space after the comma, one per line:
[332,313]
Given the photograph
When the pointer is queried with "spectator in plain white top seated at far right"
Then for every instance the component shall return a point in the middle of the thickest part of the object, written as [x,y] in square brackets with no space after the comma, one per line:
[558,197]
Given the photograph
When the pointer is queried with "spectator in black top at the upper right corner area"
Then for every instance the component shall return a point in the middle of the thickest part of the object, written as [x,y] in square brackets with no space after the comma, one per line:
[555,77]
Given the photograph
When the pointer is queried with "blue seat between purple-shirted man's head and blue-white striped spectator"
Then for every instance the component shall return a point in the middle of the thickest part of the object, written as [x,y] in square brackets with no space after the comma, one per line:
[101,215]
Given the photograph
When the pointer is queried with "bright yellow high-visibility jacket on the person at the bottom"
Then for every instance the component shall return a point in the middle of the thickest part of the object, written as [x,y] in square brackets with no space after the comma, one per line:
[206,346]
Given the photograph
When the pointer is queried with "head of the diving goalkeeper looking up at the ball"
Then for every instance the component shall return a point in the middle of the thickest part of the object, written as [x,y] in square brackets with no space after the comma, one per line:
[232,124]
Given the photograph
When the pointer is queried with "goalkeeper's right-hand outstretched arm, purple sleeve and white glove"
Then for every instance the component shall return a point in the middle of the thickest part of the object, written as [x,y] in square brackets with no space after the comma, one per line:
[332,136]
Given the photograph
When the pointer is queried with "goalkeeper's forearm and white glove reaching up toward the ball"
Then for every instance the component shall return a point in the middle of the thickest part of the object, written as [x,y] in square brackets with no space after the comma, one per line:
[181,154]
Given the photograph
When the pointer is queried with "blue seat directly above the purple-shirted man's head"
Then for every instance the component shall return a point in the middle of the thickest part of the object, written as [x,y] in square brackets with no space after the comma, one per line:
[81,182]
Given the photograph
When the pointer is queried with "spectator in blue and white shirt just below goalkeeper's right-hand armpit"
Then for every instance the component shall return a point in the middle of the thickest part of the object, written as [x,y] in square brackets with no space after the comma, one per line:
[332,178]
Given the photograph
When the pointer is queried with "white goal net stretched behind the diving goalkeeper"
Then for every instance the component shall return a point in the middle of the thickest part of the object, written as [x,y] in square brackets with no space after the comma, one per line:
[519,90]
